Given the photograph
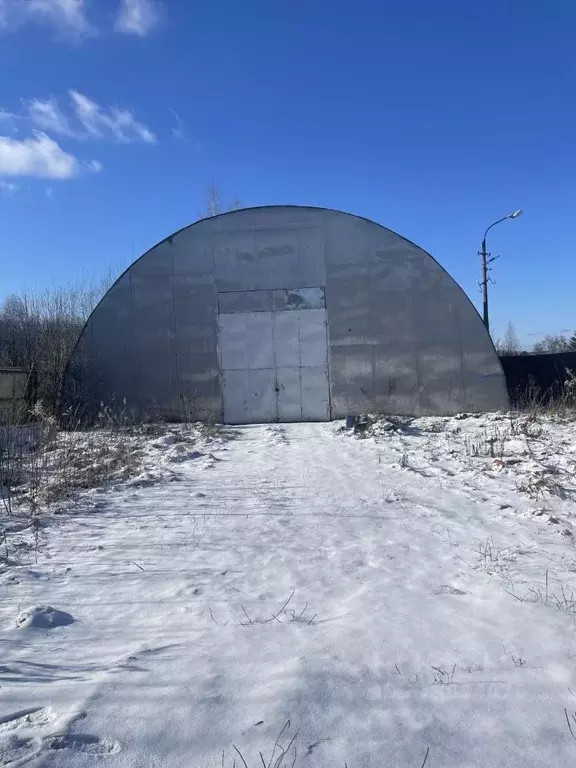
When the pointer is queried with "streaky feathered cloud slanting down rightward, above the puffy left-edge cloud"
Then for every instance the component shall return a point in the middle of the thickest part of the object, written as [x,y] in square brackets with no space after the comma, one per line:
[100,122]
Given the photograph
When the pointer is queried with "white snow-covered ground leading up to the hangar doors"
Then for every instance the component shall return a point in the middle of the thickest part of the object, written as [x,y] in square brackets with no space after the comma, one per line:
[402,599]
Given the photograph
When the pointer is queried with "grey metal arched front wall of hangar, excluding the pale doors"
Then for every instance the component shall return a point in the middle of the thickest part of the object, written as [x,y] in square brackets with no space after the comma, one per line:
[403,337]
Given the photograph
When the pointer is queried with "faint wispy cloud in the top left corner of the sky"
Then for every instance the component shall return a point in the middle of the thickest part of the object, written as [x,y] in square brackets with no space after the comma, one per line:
[69,15]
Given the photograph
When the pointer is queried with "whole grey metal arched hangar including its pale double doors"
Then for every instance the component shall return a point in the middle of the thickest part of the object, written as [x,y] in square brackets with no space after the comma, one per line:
[282,314]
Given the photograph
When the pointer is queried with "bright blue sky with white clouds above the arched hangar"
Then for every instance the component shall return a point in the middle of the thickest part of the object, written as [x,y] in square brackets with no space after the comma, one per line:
[432,118]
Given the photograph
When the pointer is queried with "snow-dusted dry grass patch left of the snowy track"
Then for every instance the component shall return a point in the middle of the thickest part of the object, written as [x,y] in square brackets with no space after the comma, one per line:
[44,467]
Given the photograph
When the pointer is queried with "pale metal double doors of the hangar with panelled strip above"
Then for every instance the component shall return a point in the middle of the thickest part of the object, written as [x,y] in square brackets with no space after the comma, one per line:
[273,350]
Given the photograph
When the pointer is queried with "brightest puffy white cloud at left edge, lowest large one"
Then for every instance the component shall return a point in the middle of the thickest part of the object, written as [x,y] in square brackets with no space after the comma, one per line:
[39,156]
